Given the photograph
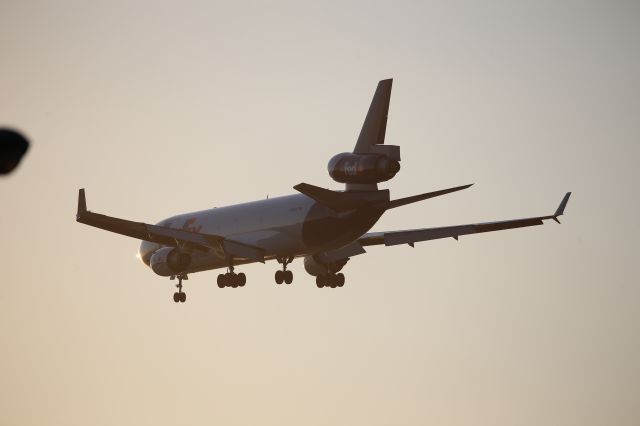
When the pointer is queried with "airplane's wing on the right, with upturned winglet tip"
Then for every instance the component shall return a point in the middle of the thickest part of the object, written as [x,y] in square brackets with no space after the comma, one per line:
[416,235]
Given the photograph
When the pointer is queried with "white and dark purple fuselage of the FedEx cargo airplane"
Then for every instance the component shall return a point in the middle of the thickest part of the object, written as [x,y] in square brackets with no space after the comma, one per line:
[287,226]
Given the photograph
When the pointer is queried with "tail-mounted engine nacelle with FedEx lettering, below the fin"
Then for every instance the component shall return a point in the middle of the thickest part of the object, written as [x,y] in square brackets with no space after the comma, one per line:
[362,168]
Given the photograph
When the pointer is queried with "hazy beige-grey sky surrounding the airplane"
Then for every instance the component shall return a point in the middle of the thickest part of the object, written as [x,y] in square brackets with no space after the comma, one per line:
[159,108]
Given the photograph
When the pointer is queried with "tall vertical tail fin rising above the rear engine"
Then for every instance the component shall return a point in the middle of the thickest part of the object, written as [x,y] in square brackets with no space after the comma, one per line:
[375,125]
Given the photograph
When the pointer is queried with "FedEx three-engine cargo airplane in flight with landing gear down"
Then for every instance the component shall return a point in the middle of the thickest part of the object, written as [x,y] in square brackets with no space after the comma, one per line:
[324,227]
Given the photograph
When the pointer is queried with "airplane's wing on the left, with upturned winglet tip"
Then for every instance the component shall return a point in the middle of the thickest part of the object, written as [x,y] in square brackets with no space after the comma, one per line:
[163,235]
